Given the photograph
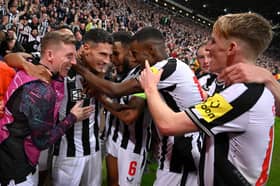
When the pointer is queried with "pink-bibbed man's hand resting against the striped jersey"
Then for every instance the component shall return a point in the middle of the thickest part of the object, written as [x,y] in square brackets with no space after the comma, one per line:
[80,112]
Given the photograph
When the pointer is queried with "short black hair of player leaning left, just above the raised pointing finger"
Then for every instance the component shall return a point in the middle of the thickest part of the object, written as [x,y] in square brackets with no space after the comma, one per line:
[148,33]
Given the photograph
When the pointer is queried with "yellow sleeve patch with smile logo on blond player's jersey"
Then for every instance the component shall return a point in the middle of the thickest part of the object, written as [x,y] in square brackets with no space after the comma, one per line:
[214,107]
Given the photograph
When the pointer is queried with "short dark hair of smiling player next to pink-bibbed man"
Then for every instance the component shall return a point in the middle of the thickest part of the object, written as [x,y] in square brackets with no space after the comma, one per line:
[98,35]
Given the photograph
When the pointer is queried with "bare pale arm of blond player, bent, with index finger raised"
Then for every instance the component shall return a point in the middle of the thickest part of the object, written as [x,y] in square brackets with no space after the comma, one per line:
[167,121]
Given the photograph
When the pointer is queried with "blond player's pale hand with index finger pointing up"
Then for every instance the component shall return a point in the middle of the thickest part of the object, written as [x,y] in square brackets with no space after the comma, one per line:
[149,78]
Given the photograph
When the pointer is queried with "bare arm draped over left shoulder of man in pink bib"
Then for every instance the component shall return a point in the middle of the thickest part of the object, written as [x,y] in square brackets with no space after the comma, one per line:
[18,60]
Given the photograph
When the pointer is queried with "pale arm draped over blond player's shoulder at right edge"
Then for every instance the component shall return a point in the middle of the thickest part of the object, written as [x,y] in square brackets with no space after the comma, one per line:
[249,73]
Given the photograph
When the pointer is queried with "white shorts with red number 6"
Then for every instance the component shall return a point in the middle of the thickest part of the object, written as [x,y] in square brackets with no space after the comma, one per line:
[130,167]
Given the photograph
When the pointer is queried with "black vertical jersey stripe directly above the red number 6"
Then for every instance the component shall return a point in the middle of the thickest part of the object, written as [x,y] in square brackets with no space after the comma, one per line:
[139,134]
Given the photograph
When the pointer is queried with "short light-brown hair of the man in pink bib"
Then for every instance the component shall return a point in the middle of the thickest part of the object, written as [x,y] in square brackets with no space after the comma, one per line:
[55,38]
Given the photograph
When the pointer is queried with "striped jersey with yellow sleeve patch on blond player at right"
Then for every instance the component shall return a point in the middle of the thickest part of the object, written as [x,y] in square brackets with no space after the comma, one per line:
[238,123]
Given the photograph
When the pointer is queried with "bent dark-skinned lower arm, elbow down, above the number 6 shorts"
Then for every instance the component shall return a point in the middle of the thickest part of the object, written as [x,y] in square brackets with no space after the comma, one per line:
[133,110]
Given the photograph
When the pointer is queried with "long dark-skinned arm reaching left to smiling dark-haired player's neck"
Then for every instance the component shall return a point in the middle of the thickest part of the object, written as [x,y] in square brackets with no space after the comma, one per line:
[109,88]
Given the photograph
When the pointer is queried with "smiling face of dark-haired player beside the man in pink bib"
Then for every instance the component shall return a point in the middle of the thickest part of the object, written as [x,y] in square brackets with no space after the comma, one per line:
[97,56]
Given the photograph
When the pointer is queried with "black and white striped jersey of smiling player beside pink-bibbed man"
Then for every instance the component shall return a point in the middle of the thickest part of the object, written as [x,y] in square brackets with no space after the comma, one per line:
[83,137]
